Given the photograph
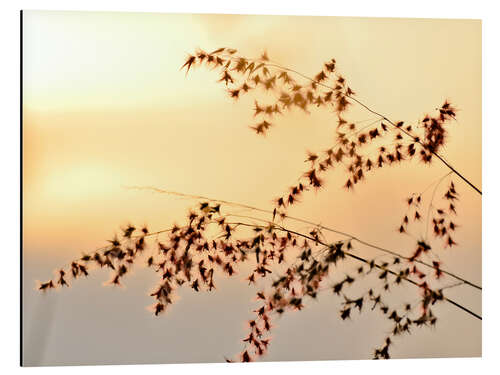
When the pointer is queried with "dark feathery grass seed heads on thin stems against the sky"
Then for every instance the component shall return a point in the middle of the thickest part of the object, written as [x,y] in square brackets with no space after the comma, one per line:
[214,240]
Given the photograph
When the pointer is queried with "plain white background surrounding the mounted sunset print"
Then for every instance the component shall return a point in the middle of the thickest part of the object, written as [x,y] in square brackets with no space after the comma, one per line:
[428,9]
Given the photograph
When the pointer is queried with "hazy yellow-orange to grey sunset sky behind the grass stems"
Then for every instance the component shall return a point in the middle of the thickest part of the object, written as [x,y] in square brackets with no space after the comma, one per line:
[106,107]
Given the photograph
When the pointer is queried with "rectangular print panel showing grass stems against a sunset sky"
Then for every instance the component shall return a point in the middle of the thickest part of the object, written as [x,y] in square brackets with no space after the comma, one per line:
[210,188]
